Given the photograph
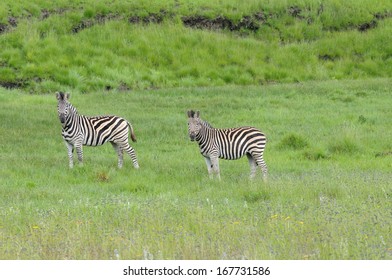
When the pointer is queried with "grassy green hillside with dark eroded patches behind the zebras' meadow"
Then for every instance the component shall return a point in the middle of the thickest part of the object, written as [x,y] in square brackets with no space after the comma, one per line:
[119,45]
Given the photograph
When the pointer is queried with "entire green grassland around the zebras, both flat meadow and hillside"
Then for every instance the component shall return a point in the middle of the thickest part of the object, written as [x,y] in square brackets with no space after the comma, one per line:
[315,76]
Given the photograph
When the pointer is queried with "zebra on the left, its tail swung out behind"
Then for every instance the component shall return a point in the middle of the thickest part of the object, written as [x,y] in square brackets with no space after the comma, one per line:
[79,130]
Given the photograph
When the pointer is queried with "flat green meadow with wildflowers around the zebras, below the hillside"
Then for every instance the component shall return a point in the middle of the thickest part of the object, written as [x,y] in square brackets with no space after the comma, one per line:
[328,197]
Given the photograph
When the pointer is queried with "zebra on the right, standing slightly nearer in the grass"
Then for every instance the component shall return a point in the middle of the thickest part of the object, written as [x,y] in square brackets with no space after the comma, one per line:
[232,143]
